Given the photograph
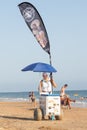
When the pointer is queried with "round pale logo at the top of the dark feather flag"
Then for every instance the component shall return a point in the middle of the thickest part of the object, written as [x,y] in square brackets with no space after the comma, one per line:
[29,14]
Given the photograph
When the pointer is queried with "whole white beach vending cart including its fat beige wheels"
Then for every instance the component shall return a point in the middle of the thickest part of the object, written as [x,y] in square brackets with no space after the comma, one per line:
[49,108]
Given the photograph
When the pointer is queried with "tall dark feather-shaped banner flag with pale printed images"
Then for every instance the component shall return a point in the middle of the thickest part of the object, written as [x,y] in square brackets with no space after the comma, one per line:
[35,23]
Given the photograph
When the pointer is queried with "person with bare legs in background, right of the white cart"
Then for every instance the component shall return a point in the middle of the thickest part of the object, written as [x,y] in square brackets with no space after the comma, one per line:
[65,100]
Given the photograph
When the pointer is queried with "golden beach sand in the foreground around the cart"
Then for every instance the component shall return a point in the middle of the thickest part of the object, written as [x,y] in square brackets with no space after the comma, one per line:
[19,116]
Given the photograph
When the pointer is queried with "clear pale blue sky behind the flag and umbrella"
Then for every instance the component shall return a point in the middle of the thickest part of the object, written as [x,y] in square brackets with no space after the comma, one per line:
[66,25]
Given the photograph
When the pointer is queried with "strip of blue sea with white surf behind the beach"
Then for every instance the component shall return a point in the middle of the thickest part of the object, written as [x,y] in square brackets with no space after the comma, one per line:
[79,95]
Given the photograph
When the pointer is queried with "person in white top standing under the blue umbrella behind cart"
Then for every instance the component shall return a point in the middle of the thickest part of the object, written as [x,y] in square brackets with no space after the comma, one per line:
[46,84]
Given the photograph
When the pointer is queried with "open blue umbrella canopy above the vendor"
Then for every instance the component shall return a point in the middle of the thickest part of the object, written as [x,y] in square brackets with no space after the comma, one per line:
[40,67]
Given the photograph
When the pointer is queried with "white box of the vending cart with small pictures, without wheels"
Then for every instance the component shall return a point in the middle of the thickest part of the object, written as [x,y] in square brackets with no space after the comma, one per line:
[50,104]
